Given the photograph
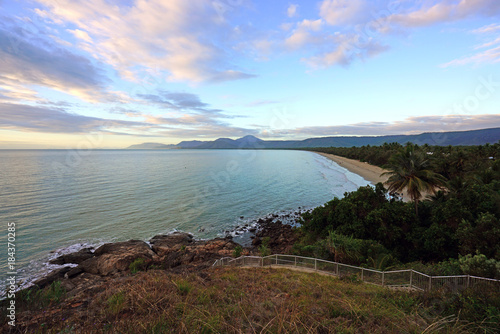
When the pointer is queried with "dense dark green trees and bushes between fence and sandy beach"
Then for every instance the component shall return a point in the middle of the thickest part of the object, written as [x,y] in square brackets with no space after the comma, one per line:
[457,225]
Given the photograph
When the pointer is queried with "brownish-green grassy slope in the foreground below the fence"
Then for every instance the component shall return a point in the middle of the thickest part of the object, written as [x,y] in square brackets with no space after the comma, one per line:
[251,300]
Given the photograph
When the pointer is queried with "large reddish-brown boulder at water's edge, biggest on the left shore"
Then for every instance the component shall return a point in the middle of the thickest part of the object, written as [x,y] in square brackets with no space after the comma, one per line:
[116,257]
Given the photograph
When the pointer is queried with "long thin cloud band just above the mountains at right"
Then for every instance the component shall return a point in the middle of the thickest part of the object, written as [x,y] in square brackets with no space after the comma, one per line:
[411,125]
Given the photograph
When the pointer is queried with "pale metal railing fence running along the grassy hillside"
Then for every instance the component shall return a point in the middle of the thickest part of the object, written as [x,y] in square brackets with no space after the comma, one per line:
[407,278]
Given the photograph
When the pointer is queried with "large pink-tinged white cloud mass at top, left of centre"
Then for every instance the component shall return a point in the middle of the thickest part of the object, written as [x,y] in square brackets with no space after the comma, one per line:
[183,40]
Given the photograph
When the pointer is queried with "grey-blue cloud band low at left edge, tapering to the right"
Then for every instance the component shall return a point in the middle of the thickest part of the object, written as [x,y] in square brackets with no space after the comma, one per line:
[55,120]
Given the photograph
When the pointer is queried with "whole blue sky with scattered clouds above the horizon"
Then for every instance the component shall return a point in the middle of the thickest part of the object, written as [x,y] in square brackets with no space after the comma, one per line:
[112,73]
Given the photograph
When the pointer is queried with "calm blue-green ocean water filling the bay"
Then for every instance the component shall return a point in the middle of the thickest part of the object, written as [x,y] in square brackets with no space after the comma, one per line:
[60,200]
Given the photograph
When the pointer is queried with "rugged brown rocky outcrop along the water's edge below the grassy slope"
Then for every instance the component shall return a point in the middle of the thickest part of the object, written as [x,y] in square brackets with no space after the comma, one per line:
[176,251]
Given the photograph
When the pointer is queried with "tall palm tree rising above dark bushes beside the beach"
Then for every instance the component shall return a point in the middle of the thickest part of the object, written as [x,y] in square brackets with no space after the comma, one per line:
[408,169]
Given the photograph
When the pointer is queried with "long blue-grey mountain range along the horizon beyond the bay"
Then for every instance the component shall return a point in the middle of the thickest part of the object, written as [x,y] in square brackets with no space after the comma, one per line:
[474,137]
